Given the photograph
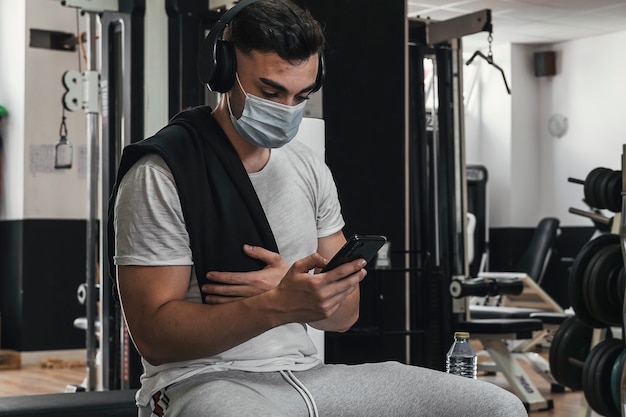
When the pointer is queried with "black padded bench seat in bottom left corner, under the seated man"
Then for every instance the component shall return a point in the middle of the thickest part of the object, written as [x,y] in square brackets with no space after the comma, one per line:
[77,404]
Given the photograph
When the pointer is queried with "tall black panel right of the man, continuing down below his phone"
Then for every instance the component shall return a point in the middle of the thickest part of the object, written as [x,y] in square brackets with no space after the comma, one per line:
[364,110]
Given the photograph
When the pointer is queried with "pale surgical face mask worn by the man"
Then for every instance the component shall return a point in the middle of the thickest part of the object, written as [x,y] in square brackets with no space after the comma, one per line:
[266,123]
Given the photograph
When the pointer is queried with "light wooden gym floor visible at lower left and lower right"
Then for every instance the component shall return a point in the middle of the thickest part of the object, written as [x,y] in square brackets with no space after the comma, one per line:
[34,379]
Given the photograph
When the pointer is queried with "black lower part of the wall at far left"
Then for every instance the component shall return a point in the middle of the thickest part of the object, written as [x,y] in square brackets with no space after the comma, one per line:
[43,263]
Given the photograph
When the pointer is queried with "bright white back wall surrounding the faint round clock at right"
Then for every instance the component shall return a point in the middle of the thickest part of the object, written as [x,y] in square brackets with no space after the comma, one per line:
[589,89]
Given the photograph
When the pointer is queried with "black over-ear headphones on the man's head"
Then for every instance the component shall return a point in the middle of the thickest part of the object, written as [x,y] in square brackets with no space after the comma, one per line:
[217,61]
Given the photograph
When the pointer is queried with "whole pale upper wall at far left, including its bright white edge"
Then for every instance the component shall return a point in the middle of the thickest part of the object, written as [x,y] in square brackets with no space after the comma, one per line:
[31,89]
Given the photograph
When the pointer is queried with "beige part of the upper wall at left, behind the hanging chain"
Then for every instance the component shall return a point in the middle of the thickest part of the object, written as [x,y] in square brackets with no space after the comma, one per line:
[51,193]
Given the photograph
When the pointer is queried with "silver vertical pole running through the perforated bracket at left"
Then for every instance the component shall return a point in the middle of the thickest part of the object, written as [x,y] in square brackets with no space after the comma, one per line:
[92,200]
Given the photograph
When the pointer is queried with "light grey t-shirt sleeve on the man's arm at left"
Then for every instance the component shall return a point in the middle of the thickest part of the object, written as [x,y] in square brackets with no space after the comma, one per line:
[149,225]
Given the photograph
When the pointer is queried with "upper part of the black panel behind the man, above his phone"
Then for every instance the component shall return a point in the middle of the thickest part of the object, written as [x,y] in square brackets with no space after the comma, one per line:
[365,145]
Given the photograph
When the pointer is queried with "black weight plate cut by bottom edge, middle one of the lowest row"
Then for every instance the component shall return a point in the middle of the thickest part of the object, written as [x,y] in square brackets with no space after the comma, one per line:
[597,376]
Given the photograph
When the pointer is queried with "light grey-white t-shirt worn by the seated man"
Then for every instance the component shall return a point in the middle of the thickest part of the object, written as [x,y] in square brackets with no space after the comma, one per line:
[299,197]
